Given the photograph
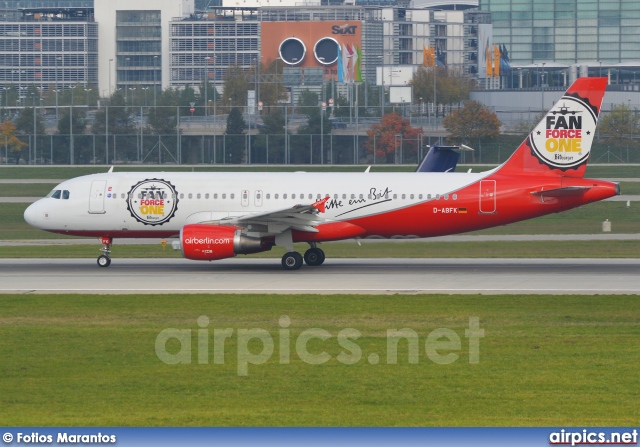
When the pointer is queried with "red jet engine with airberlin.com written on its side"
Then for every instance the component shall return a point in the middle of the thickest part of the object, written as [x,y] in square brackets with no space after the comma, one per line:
[202,242]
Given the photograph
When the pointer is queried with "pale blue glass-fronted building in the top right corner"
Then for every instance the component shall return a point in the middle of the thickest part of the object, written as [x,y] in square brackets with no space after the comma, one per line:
[567,31]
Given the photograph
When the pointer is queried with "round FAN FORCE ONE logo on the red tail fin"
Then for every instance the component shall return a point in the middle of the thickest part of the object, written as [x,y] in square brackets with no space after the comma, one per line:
[563,138]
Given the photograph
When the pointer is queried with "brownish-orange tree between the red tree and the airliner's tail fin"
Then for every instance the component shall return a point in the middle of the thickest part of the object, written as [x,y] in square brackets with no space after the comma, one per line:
[472,124]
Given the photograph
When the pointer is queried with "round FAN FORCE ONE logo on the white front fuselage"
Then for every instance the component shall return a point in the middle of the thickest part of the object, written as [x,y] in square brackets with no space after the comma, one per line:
[152,202]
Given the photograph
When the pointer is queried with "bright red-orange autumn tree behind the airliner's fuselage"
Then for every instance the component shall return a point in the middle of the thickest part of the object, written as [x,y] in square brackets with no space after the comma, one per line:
[387,136]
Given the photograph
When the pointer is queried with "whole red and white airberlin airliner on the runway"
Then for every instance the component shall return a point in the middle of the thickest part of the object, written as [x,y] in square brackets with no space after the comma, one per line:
[221,215]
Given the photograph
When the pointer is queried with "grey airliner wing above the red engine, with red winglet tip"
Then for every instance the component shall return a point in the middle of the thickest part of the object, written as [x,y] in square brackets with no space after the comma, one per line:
[299,217]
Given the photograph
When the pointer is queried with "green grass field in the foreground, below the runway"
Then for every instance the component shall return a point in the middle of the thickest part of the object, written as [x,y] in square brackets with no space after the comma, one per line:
[72,360]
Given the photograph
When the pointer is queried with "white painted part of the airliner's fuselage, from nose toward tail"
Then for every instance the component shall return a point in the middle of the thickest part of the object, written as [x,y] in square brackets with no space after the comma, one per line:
[148,203]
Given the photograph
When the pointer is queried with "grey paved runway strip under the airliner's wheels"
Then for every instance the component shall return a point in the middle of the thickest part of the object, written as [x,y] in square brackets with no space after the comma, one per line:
[350,276]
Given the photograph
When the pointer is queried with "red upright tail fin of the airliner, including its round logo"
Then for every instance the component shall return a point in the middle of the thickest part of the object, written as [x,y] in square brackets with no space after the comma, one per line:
[560,144]
